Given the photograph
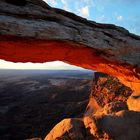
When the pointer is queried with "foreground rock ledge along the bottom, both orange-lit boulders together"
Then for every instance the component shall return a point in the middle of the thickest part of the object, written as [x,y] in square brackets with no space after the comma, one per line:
[120,125]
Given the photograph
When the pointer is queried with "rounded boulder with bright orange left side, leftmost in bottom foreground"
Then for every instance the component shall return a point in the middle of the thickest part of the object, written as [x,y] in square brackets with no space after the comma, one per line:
[68,129]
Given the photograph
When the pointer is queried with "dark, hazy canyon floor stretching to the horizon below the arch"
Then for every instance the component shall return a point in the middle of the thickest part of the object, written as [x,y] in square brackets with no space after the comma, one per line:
[32,102]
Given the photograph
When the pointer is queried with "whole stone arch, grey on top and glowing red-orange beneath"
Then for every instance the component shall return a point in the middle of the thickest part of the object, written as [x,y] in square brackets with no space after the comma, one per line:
[35,32]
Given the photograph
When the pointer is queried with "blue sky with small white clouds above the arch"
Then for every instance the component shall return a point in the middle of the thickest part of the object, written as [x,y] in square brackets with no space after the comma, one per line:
[124,13]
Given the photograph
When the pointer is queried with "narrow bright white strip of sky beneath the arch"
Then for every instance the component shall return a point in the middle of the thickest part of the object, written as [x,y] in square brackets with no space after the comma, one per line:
[53,65]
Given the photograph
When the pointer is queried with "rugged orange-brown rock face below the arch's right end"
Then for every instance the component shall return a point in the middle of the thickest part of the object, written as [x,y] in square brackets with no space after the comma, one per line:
[106,89]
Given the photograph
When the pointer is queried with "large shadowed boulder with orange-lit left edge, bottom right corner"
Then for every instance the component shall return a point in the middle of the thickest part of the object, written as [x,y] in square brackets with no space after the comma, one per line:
[122,125]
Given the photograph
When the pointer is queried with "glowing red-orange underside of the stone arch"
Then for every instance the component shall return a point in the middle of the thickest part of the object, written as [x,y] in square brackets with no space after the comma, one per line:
[18,49]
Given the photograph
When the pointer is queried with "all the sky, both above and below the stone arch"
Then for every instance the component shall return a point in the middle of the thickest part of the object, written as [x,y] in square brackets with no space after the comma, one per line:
[125,13]
